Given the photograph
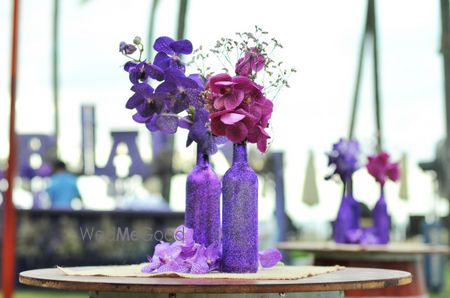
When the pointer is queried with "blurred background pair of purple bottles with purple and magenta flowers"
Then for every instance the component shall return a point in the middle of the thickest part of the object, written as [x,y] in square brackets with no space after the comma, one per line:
[344,159]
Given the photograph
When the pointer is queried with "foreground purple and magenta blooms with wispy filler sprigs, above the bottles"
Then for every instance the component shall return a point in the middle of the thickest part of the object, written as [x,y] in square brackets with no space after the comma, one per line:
[211,106]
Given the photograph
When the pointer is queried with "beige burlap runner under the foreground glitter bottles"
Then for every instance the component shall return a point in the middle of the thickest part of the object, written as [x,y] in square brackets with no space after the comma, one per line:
[274,273]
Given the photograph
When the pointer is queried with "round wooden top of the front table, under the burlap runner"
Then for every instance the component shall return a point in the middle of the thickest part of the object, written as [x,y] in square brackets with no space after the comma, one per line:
[346,279]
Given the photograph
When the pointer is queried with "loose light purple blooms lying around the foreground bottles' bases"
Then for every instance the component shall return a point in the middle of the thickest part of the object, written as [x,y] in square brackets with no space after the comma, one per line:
[186,256]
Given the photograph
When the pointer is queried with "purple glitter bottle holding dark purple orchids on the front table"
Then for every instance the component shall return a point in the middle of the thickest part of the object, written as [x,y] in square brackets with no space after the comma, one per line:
[203,201]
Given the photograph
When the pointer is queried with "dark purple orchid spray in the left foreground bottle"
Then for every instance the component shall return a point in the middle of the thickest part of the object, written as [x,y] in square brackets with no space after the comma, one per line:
[159,108]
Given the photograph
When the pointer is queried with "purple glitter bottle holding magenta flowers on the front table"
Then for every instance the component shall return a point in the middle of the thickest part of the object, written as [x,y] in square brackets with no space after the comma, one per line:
[240,215]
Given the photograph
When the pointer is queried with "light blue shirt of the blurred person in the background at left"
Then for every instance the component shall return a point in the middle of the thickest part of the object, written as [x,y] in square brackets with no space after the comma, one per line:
[63,189]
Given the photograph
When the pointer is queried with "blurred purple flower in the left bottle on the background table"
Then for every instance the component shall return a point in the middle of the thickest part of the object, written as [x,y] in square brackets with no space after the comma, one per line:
[344,158]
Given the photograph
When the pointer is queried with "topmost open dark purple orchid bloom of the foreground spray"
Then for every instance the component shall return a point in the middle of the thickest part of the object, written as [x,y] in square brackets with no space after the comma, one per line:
[169,52]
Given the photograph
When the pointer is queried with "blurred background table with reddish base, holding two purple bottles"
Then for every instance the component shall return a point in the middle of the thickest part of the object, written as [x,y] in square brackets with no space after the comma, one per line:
[397,256]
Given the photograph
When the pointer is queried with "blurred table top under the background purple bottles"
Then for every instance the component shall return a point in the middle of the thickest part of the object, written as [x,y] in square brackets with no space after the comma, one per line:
[403,248]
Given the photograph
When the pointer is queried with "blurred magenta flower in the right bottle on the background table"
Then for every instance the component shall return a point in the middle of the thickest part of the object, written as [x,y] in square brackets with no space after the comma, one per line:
[382,169]
